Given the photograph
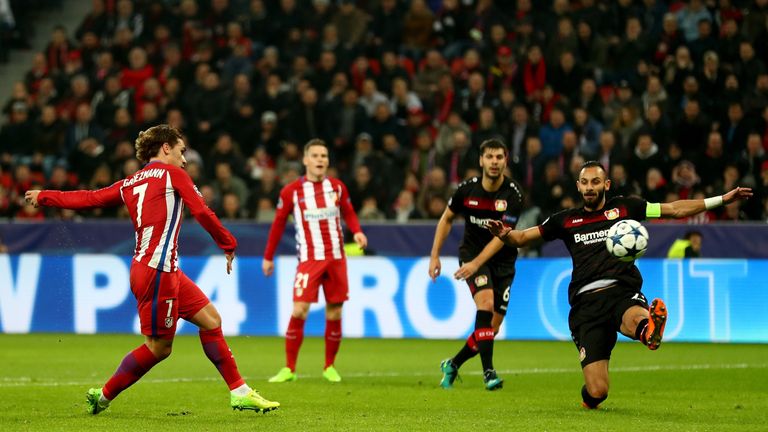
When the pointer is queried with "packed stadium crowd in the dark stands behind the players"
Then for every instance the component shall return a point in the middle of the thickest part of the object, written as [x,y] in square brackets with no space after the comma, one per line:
[671,96]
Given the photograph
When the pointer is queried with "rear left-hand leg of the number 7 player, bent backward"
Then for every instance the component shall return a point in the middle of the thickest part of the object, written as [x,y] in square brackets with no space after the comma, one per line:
[155,293]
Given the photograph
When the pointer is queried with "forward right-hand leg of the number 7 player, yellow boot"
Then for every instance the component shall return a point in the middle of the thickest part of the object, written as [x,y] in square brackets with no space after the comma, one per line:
[195,307]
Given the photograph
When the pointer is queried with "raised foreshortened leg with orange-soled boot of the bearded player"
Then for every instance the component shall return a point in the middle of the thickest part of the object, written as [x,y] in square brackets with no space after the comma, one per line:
[642,322]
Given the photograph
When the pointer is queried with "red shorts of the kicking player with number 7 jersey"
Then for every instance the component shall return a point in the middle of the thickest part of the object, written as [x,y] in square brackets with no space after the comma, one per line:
[163,298]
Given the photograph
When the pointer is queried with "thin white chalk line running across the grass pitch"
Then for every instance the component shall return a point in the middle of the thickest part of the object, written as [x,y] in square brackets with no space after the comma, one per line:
[30,382]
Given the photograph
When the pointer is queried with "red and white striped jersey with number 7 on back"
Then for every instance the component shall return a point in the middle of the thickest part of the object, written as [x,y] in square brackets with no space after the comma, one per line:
[155,197]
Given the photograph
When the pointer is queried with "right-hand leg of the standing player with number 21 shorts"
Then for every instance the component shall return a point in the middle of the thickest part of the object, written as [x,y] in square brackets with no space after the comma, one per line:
[336,290]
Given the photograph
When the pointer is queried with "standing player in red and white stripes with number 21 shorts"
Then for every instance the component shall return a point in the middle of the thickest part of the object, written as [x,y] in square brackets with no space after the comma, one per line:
[317,203]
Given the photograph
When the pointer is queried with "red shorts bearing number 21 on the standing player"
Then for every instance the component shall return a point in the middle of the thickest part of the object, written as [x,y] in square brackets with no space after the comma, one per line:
[331,274]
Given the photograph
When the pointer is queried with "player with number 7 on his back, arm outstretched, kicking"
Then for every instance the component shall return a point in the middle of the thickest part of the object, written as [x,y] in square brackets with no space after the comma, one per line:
[155,197]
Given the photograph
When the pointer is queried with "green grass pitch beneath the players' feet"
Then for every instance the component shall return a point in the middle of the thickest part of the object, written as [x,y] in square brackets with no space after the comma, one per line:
[389,385]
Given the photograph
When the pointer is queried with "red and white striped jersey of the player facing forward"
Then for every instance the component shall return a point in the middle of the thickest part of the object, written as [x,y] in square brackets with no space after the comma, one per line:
[317,209]
